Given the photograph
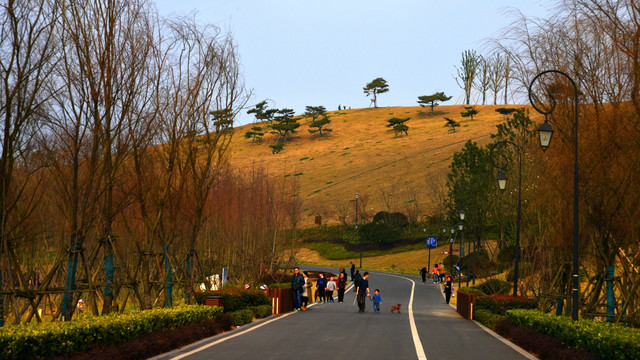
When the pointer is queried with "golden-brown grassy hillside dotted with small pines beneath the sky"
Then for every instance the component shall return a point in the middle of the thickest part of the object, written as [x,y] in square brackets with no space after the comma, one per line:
[363,155]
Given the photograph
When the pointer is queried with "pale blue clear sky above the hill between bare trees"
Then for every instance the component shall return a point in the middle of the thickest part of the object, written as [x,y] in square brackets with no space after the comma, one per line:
[296,53]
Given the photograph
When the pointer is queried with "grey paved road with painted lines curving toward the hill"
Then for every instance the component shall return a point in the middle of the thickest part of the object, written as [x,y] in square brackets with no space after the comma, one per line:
[427,329]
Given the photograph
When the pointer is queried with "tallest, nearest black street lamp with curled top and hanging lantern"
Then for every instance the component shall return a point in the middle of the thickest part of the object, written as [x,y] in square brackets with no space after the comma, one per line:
[546,132]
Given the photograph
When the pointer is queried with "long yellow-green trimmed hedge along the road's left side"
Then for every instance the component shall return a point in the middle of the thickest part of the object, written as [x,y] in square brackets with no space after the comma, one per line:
[52,339]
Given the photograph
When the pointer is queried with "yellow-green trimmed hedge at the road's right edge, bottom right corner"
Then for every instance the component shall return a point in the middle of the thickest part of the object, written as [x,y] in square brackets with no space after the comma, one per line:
[609,341]
